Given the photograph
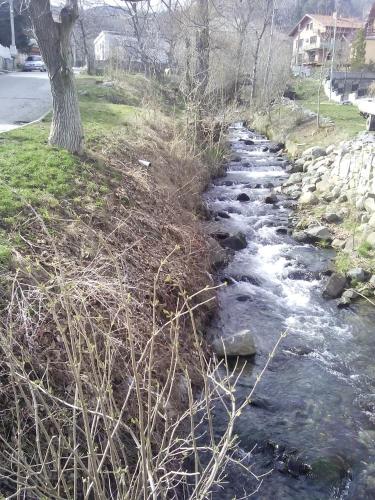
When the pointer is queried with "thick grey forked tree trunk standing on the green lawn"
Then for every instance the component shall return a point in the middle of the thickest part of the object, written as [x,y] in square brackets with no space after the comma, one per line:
[54,40]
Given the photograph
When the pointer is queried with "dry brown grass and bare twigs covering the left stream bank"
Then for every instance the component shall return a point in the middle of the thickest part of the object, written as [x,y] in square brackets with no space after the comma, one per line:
[102,358]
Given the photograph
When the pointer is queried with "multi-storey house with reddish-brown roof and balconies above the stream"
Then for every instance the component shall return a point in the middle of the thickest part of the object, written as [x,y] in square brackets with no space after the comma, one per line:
[313,39]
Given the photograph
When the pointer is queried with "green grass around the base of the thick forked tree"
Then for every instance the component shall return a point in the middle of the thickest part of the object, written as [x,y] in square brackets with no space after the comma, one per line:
[34,173]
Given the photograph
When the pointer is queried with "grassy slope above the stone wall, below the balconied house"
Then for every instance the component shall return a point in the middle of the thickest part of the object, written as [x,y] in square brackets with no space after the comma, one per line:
[289,124]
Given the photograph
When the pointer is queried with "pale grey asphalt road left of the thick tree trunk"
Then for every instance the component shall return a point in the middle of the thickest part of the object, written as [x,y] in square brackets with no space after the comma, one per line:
[24,97]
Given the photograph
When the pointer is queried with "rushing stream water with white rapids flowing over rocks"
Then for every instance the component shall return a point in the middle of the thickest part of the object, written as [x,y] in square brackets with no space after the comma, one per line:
[316,403]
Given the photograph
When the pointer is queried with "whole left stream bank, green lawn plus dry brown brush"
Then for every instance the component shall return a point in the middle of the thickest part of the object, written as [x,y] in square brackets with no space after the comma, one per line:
[103,269]
